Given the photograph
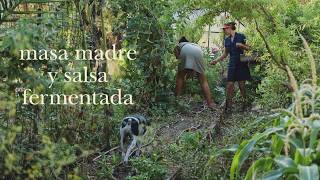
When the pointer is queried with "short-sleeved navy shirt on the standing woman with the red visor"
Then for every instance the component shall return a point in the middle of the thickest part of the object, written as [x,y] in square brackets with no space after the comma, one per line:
[234,52]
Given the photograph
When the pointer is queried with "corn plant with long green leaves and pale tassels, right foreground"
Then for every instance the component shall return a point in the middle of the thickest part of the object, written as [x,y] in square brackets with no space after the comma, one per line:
[291,148]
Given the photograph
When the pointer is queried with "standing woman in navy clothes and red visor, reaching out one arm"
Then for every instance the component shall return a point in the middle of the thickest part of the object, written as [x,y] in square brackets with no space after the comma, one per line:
[238,71]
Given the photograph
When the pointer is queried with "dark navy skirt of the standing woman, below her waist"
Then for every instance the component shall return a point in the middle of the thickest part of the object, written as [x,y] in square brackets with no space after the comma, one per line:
[240,72]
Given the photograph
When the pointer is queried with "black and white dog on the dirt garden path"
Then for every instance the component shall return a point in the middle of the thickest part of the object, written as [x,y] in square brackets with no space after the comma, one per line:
[133,126]
